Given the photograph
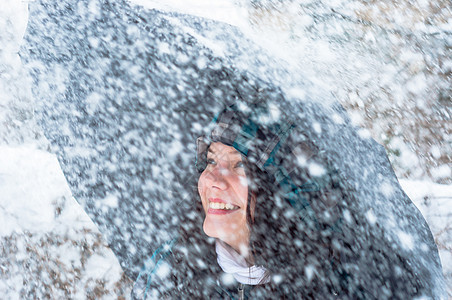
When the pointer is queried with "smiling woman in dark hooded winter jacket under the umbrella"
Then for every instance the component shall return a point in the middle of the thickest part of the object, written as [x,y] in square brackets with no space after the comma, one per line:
[274,208]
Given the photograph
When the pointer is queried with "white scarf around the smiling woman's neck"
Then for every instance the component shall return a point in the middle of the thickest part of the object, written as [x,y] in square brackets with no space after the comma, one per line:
[233,263]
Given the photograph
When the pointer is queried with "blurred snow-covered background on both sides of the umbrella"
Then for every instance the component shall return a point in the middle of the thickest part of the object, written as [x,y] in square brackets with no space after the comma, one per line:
[389,63]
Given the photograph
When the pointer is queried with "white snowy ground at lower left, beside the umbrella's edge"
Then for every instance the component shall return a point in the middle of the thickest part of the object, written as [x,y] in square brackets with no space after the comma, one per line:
[47,239]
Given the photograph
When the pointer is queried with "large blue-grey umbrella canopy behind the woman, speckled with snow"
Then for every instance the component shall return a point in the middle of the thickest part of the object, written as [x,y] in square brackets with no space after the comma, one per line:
[122,94]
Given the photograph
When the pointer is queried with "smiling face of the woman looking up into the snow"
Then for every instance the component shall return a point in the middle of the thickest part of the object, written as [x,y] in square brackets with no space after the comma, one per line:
[223,189]
